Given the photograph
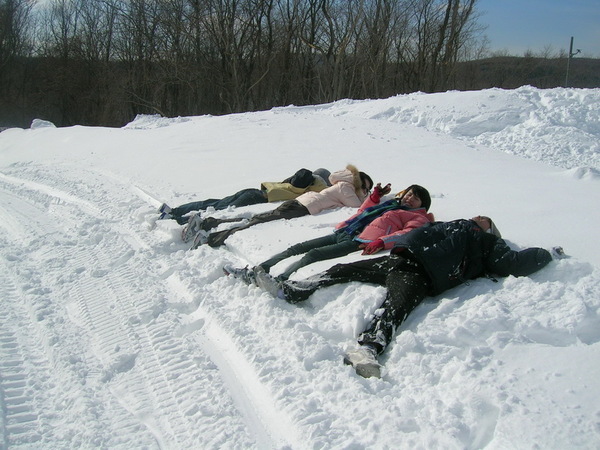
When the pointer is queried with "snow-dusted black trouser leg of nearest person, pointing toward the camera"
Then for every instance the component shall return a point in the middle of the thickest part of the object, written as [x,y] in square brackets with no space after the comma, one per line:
[407,287]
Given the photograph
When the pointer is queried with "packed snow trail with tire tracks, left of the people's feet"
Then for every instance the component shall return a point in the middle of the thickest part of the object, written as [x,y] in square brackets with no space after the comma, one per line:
[125,347]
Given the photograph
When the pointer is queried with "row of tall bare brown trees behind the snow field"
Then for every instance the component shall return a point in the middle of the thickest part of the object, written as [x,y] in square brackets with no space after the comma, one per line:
[102,62]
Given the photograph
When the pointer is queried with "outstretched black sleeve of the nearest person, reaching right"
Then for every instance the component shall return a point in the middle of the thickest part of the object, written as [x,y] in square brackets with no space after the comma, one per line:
[503,261]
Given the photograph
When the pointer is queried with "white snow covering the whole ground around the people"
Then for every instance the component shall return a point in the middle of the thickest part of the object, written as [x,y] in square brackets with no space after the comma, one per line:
[114,335]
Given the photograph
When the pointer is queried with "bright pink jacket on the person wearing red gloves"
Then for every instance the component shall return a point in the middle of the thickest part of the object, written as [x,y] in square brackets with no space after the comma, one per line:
[390,225]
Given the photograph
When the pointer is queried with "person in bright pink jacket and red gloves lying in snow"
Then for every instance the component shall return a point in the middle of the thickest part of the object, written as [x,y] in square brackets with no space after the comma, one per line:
[376,226]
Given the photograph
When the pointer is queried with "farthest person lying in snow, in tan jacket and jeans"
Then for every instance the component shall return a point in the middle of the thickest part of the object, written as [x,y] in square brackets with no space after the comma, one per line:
[302,181]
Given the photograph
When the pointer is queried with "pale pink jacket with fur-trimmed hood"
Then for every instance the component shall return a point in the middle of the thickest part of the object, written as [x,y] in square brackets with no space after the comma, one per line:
[346,190]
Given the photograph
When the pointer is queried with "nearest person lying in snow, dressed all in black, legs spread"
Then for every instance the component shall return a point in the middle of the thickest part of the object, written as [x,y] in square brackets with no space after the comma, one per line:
[425,261]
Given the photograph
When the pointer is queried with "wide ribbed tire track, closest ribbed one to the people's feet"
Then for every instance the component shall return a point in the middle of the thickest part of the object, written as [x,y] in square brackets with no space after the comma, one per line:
[149,351]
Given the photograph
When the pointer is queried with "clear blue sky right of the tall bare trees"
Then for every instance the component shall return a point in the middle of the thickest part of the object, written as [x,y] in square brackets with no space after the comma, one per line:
[521,25]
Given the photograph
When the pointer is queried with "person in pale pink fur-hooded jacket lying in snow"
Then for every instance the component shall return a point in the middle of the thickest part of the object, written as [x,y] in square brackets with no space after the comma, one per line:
[349,187]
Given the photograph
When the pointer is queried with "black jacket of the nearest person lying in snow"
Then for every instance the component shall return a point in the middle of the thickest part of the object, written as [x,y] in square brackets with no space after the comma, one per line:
[454,252]
